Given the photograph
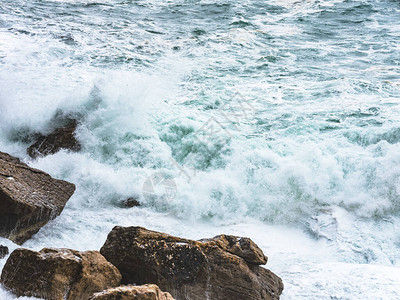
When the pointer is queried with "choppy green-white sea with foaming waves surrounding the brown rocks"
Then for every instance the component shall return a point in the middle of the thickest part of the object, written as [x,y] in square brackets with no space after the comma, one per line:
[276,120]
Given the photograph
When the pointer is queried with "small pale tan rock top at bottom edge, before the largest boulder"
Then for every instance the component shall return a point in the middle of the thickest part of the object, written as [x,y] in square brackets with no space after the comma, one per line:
[131,292]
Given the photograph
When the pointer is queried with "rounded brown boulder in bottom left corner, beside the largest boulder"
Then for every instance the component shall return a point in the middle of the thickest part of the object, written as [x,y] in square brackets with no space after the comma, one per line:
[58,274]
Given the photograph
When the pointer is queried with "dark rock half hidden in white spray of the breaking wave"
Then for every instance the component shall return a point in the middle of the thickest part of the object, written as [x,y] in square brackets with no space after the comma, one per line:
[60,138]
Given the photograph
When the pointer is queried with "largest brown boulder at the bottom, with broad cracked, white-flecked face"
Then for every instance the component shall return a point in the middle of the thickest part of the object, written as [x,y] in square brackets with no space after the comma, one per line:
[225,267]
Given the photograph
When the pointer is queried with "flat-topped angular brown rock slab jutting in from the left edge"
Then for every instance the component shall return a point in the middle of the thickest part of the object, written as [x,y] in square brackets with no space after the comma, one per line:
[29,198]
